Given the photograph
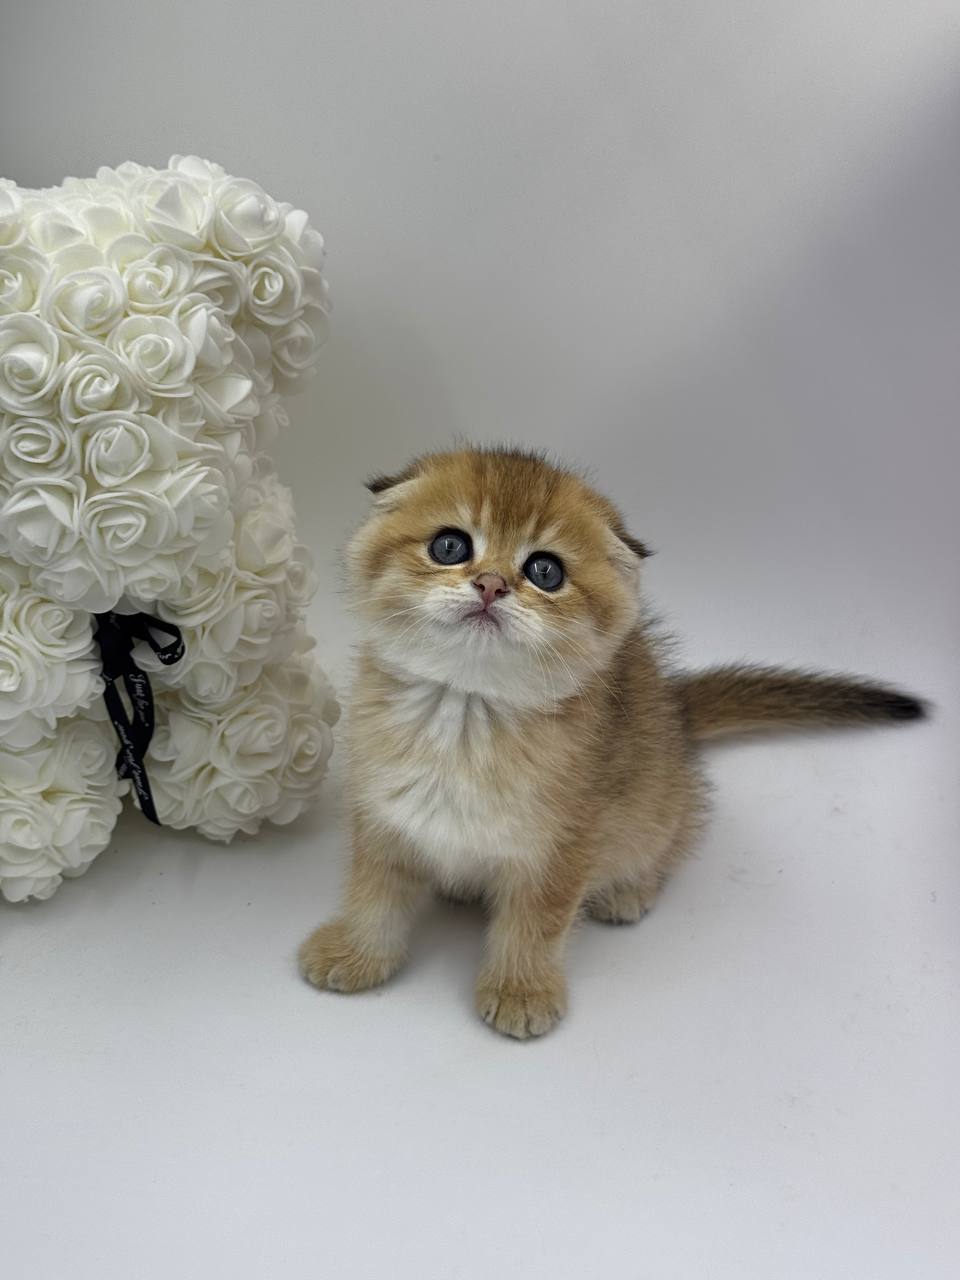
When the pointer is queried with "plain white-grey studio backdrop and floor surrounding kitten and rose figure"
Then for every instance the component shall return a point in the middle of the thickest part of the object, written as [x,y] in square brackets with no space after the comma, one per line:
[710,252]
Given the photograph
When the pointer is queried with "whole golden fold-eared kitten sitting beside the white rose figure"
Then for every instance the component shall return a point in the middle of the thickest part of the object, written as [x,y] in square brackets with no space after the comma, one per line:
[514,735]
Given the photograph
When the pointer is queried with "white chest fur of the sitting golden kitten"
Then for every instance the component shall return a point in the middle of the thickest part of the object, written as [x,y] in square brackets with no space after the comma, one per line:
[442,783]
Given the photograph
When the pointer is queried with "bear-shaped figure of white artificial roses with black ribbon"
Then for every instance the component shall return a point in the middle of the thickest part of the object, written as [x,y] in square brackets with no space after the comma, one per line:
[152,587]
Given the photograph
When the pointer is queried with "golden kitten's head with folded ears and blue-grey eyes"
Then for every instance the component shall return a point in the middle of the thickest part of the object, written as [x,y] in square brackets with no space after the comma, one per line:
[495,573]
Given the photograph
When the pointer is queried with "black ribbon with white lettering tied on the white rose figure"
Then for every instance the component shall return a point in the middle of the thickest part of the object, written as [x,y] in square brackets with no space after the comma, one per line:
[117,634]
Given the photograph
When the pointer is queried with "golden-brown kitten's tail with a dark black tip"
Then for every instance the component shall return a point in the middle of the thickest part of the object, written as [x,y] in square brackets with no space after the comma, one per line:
[742,700]
